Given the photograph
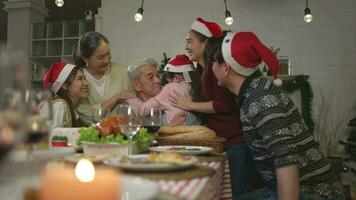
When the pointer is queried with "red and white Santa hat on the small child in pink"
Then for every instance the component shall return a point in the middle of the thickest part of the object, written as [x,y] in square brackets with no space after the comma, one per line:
[180,64]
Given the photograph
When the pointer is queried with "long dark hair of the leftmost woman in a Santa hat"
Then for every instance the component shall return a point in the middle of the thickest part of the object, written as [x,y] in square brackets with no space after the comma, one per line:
[62,93]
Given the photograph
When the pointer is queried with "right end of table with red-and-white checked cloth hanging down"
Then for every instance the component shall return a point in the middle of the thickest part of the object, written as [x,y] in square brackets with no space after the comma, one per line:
[190,186]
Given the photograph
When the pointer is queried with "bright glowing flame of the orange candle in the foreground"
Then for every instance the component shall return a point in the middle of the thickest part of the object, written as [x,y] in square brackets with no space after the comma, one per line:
[85,171]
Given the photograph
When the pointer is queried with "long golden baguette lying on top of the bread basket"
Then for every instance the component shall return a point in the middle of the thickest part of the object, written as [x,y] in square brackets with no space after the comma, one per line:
[167,131]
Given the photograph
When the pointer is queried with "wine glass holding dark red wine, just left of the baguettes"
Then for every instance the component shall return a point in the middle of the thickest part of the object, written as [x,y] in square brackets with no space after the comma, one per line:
[152,120]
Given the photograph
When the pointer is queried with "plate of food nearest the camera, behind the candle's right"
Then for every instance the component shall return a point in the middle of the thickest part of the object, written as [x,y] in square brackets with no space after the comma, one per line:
[166,161]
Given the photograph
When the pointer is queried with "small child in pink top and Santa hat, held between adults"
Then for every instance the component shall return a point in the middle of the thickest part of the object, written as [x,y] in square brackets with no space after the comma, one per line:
[177,72]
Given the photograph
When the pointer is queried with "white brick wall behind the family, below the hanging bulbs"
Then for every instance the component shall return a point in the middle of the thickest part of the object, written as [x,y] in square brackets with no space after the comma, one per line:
[324,49]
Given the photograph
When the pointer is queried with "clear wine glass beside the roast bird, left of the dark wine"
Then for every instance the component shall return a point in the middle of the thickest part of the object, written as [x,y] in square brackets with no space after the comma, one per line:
[129,122]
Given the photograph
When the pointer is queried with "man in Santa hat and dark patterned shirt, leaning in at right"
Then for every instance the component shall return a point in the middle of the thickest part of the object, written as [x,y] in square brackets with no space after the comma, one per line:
[285,152]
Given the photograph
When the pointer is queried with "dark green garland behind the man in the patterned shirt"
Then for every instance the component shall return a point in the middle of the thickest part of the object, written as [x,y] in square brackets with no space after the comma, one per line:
[301,83]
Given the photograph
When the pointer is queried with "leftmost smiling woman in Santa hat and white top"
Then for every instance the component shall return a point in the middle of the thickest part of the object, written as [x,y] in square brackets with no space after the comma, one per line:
[69,86]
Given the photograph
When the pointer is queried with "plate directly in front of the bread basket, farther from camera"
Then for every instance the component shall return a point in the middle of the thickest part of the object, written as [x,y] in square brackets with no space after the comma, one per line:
[185,150]
